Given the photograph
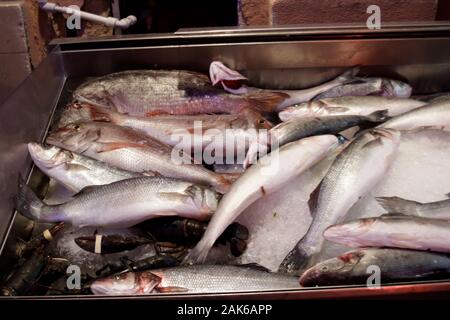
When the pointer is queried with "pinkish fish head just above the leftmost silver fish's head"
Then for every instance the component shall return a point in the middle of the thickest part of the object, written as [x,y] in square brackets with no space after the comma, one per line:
[75,137]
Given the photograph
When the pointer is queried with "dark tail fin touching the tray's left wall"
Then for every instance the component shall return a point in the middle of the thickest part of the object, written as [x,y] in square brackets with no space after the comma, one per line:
[28,204]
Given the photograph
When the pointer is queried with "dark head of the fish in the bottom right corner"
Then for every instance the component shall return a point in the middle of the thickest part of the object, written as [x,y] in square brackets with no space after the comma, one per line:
[333,271]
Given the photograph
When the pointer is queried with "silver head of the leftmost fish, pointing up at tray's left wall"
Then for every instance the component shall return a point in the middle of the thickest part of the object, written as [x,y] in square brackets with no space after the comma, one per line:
[48,156]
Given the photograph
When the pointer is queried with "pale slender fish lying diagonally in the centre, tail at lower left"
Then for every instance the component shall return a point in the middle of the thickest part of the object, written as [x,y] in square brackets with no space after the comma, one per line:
[269,174]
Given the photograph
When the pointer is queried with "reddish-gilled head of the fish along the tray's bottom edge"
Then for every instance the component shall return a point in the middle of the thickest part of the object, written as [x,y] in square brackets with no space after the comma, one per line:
[126,283]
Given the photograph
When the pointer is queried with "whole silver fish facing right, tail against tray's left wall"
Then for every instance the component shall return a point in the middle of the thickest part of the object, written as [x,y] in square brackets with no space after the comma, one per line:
[123,203]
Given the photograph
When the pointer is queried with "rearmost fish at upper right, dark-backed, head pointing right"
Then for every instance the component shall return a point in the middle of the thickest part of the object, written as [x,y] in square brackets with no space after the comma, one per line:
[369,87]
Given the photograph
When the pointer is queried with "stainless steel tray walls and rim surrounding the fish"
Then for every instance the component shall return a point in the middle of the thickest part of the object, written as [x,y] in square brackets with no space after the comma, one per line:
[271,58]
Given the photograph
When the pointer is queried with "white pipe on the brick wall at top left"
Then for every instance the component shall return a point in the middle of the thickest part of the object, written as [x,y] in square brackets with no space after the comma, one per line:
[109,21]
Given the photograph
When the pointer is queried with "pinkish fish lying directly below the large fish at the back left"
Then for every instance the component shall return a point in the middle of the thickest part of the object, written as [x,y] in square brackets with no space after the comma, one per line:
[187,132]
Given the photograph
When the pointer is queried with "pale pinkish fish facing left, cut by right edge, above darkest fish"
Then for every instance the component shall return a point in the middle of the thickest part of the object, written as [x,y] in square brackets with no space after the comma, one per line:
[394,231]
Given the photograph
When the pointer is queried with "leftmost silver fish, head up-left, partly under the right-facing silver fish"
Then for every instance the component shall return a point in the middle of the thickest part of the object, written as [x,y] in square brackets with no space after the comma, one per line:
[74,171]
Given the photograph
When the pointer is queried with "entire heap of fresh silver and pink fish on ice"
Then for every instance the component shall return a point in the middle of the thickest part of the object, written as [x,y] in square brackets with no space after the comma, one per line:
[138,146]
